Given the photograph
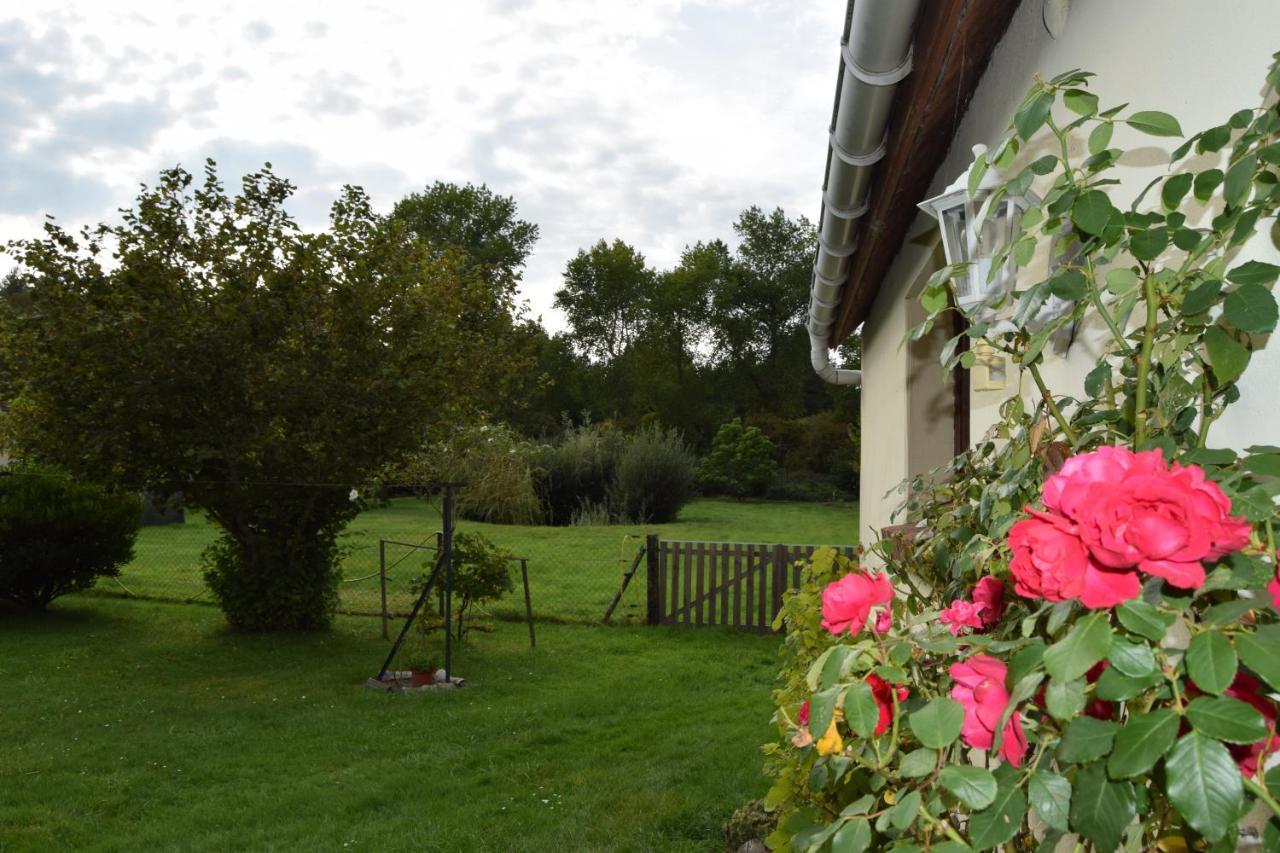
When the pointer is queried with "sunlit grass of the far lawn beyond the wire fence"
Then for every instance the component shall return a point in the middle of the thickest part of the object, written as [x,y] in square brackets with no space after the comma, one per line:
[574,572]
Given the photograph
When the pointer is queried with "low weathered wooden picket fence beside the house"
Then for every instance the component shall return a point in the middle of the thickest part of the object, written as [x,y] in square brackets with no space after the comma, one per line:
[723,583]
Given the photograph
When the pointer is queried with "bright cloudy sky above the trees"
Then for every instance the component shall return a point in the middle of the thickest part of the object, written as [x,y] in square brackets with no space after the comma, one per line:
[653,121]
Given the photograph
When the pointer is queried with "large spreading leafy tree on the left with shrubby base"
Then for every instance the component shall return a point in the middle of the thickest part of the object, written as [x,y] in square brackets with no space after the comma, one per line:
[209,346]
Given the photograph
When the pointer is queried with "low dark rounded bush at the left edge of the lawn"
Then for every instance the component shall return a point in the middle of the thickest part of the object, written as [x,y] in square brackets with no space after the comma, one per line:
[58,536]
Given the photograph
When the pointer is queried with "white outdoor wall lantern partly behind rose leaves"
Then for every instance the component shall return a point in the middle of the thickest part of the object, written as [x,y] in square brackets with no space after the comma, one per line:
[975,232]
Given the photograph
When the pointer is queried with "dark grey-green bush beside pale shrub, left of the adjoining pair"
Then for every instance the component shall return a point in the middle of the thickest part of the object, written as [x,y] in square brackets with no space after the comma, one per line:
[577,475]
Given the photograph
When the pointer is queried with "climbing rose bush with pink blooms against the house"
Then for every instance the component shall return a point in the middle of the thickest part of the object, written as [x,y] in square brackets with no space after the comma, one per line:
[1075,640]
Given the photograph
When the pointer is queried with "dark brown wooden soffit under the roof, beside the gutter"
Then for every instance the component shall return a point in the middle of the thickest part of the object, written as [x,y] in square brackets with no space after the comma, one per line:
[954,42]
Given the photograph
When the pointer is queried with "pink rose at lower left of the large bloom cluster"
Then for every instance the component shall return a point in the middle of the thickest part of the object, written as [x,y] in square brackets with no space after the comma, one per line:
[1052,563]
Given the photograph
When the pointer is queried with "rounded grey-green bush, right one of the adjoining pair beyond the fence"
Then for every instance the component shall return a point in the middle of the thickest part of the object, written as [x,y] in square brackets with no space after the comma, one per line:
[655,478]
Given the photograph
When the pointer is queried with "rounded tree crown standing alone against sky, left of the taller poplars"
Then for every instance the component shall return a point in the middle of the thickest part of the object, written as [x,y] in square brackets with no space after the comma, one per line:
[605,297]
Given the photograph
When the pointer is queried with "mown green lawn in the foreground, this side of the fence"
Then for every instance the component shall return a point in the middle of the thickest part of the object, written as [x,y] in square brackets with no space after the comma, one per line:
[140,726]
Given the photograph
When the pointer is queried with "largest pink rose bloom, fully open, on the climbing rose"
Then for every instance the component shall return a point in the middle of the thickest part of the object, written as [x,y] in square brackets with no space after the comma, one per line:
[1135,512]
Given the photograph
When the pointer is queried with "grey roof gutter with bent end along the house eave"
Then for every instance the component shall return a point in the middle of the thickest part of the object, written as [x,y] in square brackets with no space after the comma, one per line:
[875,57]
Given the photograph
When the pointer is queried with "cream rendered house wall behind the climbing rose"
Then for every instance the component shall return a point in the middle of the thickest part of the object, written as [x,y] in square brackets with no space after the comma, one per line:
[1195,60]
